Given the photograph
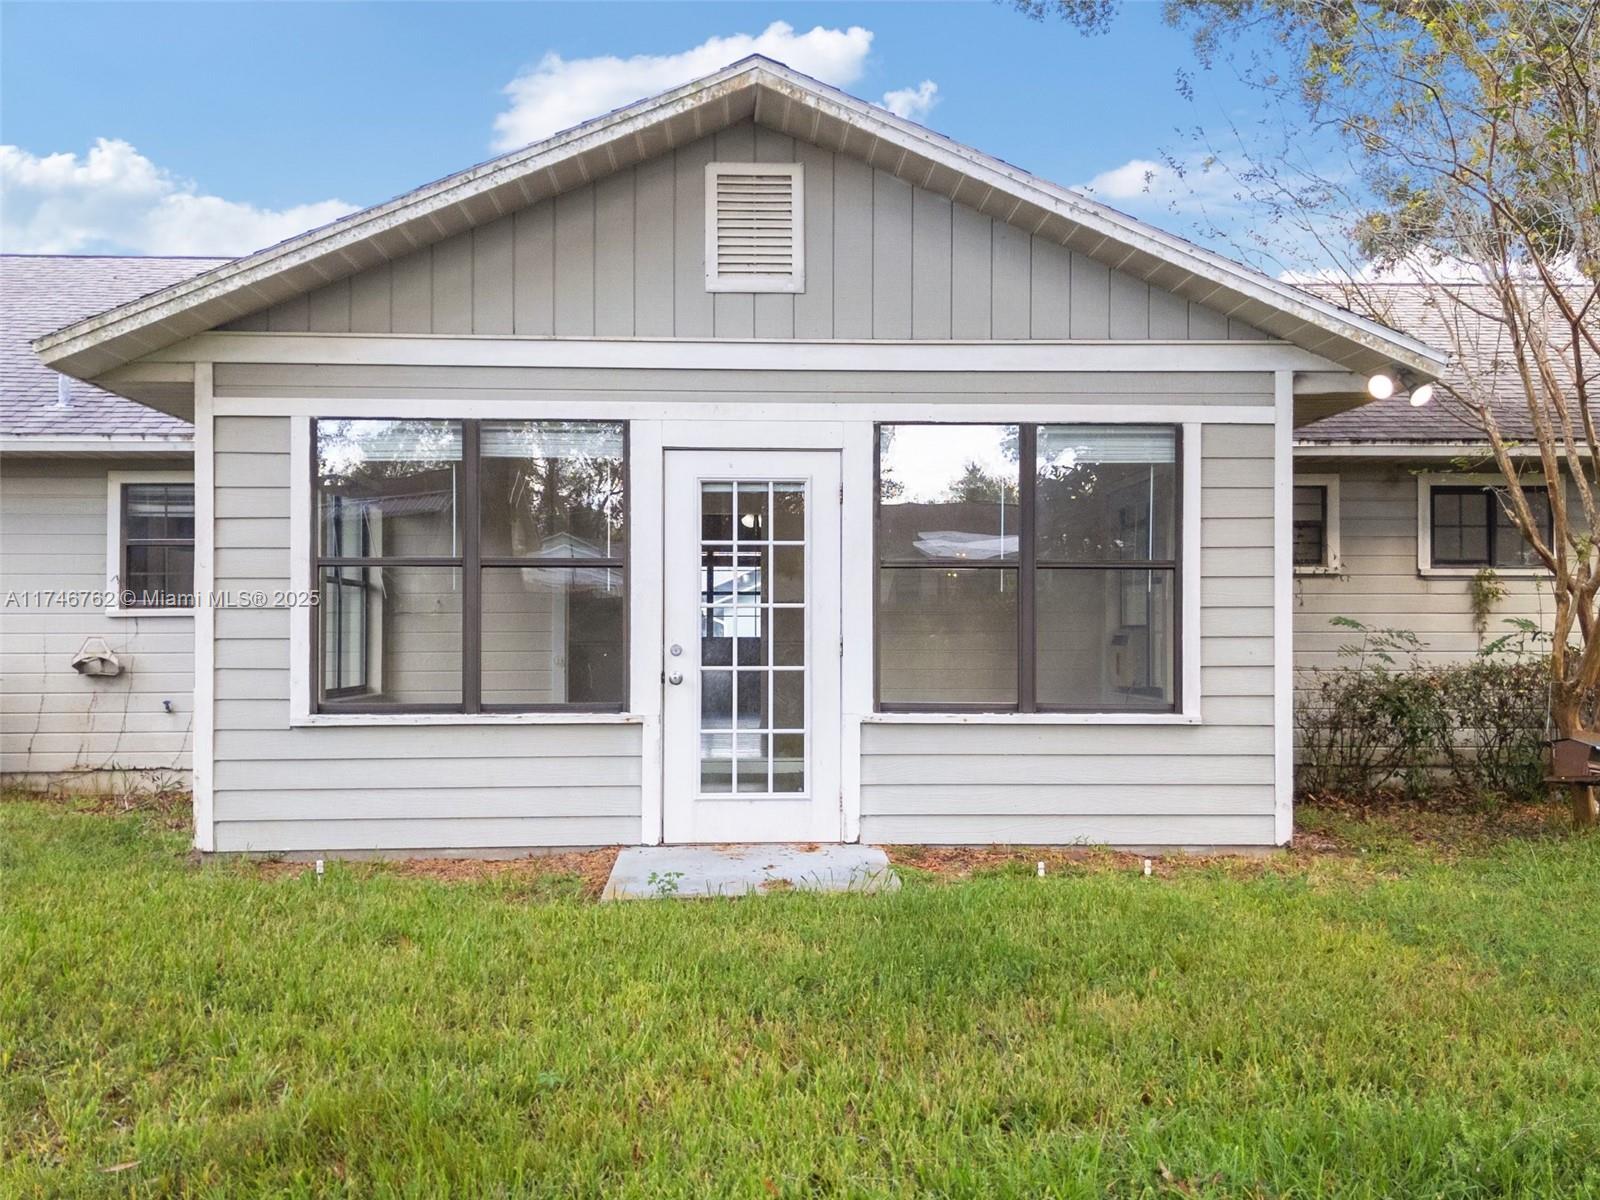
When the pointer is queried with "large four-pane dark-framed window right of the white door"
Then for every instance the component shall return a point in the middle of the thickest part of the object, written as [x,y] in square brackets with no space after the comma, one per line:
[1028,569]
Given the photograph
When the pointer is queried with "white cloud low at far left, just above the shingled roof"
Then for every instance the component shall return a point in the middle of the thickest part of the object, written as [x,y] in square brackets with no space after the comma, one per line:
[116,201]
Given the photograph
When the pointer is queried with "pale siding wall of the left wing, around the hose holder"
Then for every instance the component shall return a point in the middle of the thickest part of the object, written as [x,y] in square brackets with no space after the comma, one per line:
[52,719]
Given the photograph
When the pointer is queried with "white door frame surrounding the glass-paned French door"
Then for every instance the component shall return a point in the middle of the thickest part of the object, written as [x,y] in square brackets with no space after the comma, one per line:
[745,426]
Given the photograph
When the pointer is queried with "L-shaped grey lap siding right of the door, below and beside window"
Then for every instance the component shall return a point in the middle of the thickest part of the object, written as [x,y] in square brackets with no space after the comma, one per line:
[1209,785]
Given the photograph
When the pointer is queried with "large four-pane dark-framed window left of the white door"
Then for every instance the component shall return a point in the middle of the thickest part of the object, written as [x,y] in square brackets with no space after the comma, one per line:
[471,566]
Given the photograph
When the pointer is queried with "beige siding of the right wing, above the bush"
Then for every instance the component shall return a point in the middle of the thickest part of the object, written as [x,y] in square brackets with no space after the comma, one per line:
[1380,583]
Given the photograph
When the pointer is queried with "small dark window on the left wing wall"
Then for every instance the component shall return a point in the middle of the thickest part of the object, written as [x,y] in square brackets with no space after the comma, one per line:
[156,559]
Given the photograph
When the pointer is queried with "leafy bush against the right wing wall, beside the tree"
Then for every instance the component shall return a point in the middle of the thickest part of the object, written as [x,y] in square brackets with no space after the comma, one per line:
[1386,721]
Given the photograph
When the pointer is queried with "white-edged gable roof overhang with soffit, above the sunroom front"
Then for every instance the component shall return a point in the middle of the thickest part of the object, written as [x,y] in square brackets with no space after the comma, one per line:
[782,100]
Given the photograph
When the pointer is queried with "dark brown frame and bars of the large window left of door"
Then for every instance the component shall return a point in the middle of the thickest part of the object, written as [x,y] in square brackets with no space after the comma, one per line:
[471,564]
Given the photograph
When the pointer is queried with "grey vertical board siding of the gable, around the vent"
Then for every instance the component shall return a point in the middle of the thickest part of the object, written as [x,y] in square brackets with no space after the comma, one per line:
[626,257]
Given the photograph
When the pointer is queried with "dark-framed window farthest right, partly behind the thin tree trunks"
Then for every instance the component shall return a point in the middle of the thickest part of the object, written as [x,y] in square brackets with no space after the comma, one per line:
[1466,526]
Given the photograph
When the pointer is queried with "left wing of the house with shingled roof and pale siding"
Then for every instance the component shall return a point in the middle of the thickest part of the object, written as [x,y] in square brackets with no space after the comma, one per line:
[74,462]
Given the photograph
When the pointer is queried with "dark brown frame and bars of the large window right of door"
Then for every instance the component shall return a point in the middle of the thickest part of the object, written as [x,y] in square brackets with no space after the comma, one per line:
[1026,567]
